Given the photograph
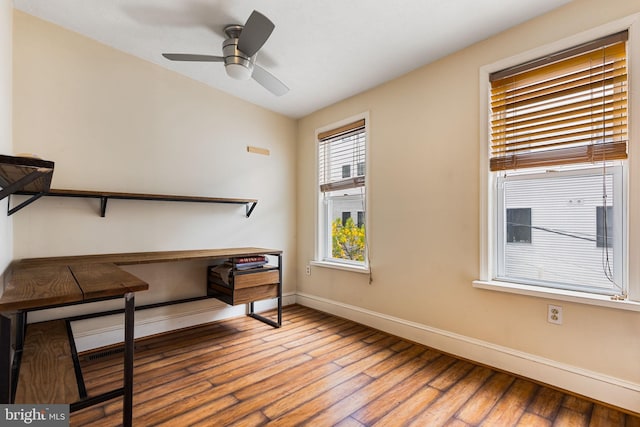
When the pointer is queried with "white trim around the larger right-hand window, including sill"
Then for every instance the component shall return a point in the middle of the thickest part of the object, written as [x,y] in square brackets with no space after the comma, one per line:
[487,180]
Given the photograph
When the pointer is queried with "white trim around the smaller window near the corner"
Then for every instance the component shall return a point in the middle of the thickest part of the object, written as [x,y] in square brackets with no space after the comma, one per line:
[318,251]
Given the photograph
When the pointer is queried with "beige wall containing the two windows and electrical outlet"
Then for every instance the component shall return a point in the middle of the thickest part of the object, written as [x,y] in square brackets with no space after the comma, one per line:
[424,212]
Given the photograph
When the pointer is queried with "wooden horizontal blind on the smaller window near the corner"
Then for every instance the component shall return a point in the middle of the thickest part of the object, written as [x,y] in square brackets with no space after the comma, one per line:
[342,157]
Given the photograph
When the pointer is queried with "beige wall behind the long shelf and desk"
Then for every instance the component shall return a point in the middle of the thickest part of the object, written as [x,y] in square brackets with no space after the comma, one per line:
[113,122]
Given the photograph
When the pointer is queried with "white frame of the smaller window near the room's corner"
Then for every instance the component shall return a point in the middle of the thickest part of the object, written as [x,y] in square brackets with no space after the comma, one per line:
[323,242]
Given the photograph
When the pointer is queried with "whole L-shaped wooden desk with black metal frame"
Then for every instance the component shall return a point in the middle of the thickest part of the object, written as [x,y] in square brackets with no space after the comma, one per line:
[40,283]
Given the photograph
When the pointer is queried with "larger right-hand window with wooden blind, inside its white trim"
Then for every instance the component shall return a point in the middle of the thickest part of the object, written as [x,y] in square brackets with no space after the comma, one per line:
[557,159]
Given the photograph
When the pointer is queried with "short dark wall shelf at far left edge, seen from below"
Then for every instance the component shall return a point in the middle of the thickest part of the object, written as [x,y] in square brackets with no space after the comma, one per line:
[24,174]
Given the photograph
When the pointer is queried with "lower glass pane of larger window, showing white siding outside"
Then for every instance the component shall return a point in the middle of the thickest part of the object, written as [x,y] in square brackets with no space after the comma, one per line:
[562,211]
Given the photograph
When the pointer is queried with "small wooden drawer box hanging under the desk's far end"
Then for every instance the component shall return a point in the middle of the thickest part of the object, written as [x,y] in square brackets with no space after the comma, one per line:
[244,286]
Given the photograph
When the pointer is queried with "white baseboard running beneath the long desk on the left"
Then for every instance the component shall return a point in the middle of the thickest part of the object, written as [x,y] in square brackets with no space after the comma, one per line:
[108,330]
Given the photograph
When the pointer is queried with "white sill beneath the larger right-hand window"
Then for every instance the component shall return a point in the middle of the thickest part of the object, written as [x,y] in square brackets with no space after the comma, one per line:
[557,294]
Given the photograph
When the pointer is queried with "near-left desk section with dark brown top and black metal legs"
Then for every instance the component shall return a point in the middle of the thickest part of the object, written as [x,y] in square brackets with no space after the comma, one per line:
[39,286]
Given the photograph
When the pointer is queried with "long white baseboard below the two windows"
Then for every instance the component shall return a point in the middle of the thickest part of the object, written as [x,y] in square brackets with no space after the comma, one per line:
[614,391]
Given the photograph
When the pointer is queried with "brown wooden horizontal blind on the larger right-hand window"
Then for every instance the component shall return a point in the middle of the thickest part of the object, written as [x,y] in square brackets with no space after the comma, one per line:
[566,108]
